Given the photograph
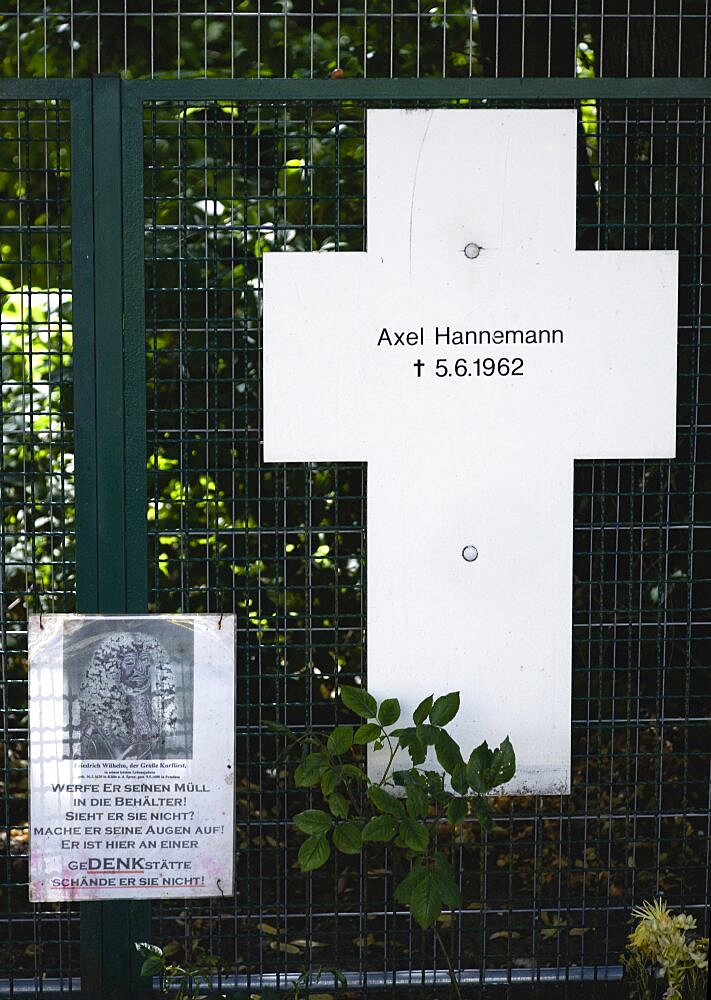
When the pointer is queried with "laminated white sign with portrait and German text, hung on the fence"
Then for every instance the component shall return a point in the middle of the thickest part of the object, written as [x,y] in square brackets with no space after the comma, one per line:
[131,756]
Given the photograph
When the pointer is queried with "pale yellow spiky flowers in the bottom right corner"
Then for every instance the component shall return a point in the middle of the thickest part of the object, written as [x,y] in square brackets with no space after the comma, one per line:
[662,953]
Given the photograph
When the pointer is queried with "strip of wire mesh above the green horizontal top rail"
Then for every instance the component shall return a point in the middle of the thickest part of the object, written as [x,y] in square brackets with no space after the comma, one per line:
[374,38]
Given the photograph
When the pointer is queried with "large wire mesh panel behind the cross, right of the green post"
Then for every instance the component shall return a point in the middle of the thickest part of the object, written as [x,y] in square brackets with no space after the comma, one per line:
[550,888]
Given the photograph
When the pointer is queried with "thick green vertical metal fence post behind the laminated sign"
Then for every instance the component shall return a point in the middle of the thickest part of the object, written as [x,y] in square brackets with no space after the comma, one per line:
[109,367]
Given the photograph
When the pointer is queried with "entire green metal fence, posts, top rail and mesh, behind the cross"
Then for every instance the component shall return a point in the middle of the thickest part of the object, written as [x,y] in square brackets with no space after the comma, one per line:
[133,480]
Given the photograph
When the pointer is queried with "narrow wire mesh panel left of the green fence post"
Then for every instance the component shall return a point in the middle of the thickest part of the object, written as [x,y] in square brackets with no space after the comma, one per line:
[37,485]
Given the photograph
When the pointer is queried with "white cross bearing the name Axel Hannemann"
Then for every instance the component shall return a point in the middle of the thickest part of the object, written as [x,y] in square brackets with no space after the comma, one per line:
[470,438]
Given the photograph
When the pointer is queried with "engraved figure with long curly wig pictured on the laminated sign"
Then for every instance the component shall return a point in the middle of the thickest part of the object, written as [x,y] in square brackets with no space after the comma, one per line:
[127,699]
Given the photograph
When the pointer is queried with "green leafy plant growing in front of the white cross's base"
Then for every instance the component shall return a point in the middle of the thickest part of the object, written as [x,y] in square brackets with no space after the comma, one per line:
[406,806]
